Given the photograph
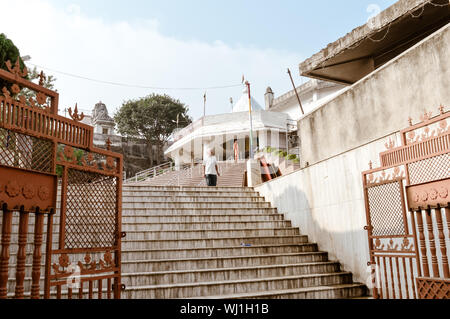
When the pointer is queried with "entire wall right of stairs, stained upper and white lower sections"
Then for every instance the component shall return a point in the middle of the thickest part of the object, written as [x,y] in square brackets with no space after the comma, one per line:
[325,199]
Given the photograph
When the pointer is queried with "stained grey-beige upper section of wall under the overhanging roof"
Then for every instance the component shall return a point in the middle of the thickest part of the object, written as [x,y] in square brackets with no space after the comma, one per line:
[380,103]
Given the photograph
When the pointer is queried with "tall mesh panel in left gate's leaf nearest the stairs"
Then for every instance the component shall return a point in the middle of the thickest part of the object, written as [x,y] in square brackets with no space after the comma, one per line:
[90,210]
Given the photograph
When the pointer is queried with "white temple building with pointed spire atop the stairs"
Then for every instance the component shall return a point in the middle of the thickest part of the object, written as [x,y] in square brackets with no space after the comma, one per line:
[274,126]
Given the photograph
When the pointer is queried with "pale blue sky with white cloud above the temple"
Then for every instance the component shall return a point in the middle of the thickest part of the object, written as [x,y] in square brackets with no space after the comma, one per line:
[184,48]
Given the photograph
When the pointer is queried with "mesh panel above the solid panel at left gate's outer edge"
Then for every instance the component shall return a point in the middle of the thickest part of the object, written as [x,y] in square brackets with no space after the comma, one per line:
[25,152]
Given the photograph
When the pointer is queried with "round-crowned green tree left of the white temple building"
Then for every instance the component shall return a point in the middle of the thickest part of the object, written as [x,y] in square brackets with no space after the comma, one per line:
[153,118]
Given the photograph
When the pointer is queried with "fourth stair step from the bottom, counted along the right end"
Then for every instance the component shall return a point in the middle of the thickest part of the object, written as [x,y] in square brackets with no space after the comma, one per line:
[221,262]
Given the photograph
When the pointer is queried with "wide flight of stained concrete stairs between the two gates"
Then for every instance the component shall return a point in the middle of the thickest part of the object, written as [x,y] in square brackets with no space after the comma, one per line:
[225,242]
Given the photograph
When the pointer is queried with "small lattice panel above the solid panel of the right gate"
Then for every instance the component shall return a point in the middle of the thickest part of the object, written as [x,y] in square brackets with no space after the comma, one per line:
[429,170]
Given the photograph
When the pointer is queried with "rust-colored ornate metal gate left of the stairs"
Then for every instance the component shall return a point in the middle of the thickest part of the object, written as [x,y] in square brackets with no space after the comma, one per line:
[59,192]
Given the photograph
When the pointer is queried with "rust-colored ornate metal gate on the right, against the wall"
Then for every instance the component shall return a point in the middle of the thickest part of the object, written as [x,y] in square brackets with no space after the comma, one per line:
[408,217]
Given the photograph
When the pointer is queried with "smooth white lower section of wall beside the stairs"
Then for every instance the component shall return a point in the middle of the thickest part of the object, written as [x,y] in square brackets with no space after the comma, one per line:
[326,201]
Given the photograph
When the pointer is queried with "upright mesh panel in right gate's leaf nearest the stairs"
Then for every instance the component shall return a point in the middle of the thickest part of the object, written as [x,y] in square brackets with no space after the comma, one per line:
[386,209]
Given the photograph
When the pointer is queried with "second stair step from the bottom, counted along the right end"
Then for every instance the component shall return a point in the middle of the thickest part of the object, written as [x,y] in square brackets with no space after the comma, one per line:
[198,289]
